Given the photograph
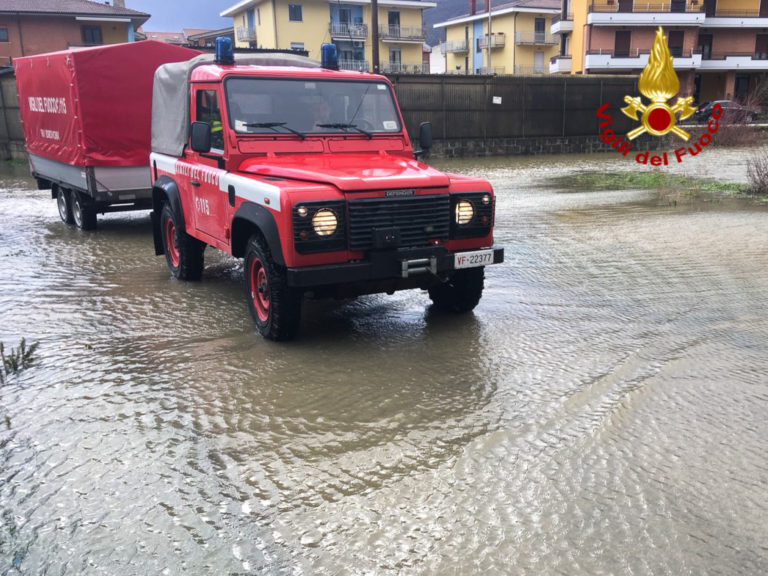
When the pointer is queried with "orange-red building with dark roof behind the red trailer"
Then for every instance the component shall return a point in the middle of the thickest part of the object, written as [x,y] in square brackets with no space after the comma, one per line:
[30,27]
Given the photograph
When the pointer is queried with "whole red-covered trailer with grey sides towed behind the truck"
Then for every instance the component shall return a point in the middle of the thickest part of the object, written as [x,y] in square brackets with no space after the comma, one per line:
[87,124]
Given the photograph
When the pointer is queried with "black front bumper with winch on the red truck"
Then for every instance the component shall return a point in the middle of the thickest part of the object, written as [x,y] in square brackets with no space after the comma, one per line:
[383,265]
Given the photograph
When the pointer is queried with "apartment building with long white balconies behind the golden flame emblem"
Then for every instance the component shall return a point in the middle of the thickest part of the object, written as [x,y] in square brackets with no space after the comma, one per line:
[720,47]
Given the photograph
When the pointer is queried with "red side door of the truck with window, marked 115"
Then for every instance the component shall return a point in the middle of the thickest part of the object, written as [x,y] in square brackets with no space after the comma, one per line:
[210,204]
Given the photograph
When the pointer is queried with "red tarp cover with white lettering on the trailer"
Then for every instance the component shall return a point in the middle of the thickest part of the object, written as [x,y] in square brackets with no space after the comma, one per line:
[92,106]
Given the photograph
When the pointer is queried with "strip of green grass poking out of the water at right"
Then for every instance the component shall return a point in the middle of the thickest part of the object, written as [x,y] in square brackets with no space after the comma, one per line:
[586,181]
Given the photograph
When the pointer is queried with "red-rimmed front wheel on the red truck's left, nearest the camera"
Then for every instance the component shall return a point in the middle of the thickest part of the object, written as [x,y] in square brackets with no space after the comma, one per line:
[274,306]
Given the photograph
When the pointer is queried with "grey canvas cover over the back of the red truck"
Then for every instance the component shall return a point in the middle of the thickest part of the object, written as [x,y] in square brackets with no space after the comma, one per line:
[170,102]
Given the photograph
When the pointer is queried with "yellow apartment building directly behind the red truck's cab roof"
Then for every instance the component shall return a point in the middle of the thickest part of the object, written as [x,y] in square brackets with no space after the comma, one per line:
[308,24]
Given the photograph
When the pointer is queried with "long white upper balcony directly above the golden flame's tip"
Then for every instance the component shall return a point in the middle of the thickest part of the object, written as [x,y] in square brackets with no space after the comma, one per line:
[675,13]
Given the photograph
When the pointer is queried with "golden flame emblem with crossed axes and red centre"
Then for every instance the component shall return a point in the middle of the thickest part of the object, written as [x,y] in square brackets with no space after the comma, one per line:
[658,82]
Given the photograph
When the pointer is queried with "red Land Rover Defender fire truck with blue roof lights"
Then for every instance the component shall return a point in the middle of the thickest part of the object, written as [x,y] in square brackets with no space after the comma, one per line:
[309,175]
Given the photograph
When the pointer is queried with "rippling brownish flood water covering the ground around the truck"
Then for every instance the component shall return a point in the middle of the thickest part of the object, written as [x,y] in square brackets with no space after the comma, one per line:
[603,411]
